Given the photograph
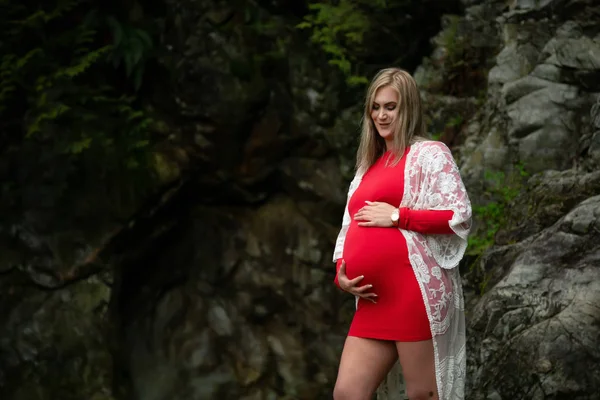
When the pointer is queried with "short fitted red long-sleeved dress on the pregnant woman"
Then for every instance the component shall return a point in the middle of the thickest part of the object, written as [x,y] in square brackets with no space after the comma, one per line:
[381,255]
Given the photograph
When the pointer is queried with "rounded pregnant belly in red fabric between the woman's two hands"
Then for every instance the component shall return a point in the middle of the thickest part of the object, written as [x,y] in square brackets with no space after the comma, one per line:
[372,252]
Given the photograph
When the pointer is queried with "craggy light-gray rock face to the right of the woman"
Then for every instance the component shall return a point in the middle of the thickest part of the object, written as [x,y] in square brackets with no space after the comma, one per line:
[533,299]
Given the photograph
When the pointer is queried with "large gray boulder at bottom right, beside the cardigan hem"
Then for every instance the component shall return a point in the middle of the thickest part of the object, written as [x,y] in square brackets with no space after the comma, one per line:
[542,317]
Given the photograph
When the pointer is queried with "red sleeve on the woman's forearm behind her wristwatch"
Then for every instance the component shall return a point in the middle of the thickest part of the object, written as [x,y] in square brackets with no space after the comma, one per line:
[430,222]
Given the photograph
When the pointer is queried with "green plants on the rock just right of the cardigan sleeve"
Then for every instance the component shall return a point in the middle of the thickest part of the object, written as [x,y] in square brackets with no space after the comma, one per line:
[501,191]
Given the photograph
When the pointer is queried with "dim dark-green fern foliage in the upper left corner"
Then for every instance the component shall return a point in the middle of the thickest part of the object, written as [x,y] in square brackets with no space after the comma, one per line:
[61,83]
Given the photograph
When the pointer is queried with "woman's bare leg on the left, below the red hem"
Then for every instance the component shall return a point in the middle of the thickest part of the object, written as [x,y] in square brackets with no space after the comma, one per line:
[363,366]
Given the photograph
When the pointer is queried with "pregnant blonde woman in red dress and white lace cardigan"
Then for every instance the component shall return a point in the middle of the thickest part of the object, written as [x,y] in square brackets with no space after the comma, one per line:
[403,234]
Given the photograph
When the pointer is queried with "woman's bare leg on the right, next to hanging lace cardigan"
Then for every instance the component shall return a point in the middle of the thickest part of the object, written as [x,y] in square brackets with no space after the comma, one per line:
[418,369]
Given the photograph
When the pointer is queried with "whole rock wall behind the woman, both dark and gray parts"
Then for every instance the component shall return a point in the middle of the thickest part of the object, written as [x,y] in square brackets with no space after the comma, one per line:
[220,287]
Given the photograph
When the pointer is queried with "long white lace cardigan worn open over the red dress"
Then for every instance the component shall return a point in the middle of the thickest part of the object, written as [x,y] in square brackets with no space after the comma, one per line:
[432,182]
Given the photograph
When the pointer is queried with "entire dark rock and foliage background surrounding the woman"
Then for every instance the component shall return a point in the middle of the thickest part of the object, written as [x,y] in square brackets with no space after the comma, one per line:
[174,173]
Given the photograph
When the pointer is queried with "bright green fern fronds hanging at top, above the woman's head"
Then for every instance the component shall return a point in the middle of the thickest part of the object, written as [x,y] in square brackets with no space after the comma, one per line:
[339,29]
